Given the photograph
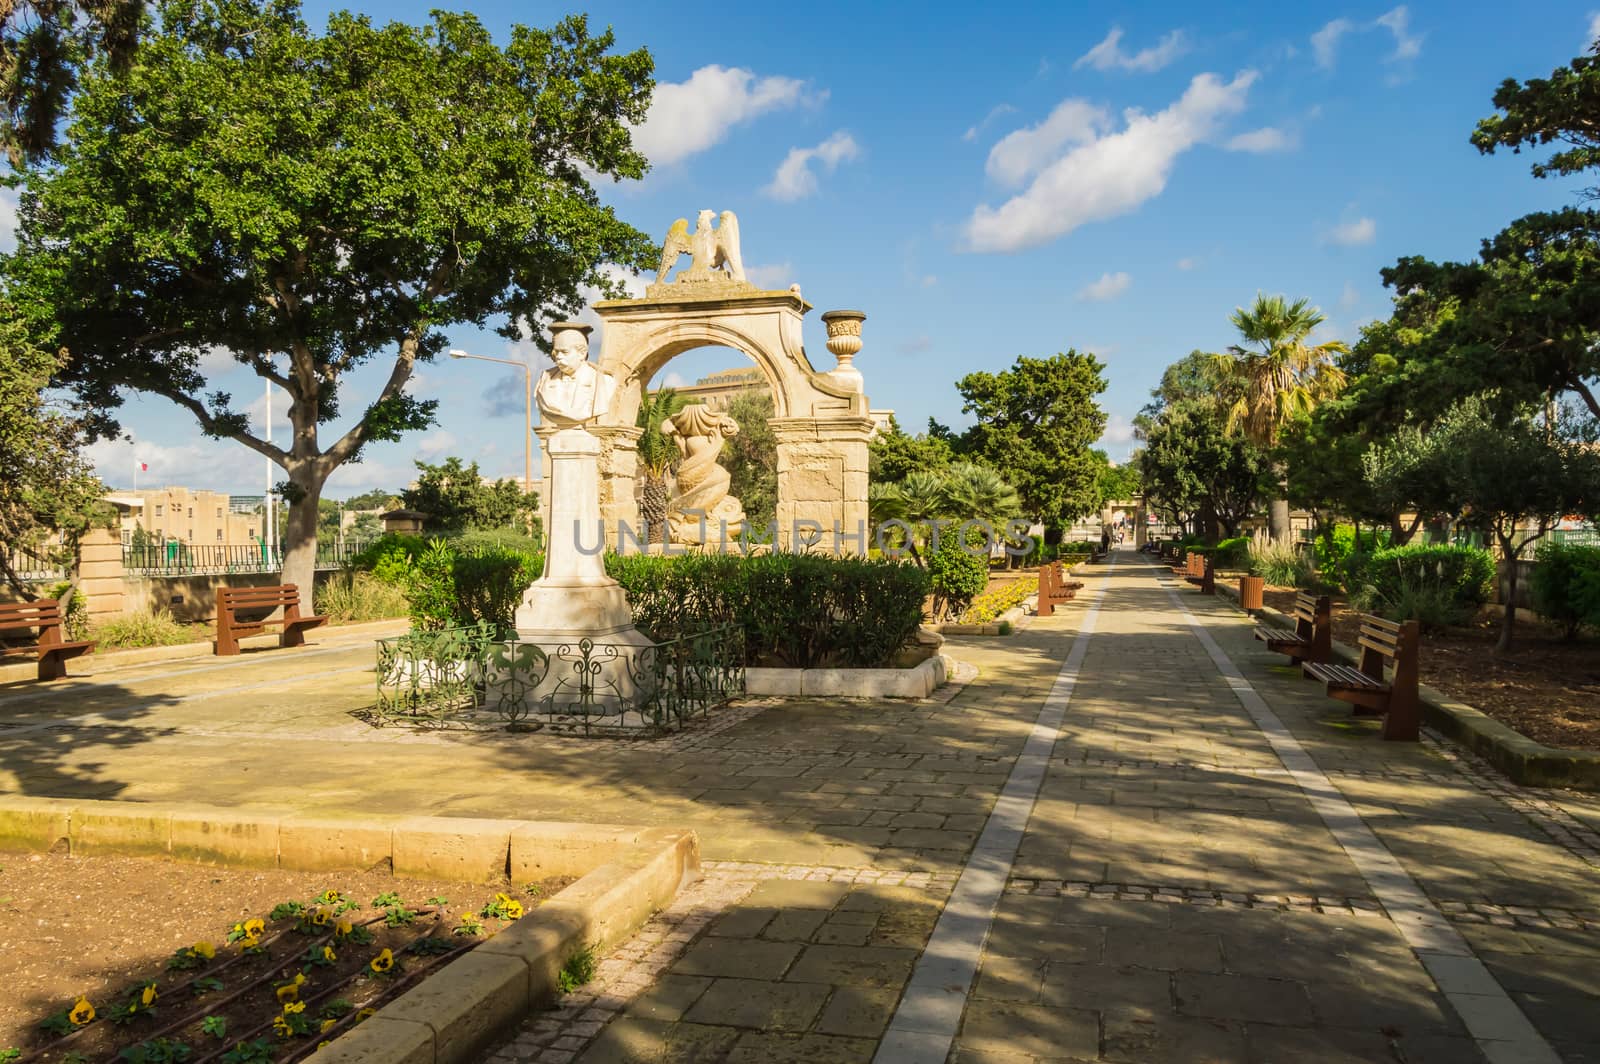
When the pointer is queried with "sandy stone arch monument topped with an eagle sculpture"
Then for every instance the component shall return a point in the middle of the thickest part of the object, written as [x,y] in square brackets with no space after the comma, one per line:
[820,418]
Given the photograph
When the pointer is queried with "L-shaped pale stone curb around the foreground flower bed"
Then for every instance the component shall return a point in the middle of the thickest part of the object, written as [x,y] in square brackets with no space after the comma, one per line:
[458,1014]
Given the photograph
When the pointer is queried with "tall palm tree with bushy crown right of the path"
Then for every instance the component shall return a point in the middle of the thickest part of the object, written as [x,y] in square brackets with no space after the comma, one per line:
[1278,377]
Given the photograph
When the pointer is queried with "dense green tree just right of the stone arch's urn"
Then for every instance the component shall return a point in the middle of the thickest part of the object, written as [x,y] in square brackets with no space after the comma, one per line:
[1038,425]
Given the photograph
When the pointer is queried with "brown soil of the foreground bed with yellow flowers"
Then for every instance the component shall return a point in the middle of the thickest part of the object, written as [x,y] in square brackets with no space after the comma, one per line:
[98,927]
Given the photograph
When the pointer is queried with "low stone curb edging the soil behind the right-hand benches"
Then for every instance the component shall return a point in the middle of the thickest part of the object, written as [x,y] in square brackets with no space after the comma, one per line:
[1527,762]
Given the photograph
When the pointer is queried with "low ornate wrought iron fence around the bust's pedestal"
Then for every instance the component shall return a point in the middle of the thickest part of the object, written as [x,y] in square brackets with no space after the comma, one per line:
[468,678]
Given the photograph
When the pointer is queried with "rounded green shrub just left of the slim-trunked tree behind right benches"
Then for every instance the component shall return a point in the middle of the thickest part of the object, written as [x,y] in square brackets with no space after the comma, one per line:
[1394,582]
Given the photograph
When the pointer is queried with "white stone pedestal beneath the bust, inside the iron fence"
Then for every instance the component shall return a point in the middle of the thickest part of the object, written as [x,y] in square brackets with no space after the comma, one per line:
[575,601]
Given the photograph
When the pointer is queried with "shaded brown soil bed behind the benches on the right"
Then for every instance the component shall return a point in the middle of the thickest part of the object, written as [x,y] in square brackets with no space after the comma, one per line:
[1546,689]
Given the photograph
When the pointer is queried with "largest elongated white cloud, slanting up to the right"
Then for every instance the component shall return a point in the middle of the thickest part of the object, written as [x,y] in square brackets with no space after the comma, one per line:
[1110,175]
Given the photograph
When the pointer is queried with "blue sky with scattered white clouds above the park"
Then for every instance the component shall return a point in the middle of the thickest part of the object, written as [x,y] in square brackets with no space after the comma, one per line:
[1017,182]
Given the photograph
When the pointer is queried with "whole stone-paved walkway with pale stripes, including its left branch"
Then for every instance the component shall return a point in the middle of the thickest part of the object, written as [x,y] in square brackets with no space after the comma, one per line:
[1138,834]
